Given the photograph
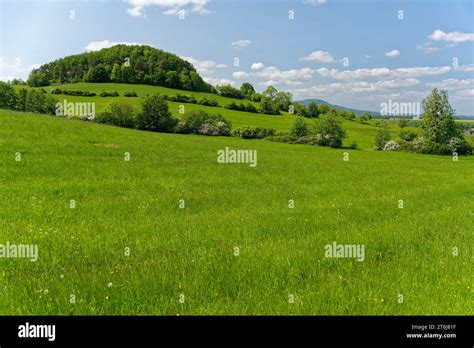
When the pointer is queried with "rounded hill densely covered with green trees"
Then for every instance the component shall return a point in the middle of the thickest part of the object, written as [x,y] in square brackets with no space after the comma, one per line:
[122,64]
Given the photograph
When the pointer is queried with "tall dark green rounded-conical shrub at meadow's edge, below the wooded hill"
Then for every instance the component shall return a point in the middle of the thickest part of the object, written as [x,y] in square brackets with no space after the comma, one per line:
[155,115]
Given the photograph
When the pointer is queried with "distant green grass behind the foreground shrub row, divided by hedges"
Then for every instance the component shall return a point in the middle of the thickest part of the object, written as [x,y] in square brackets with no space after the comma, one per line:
[363,134]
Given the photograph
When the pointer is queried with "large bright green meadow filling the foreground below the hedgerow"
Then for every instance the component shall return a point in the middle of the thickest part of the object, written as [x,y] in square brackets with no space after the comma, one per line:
[135,204]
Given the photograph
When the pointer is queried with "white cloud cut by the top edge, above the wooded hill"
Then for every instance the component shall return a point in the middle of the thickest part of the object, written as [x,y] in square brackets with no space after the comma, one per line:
[171,7]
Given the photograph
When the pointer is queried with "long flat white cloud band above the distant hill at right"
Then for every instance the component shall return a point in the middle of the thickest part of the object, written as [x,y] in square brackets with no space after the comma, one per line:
[382,72]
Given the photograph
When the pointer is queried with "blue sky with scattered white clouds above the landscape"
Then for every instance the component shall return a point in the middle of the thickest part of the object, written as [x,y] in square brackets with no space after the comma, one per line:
[390,54]
